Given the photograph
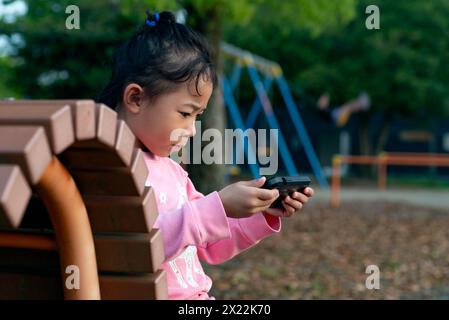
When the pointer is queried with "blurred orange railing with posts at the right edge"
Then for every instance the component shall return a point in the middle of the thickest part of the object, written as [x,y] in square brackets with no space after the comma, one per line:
[383,160]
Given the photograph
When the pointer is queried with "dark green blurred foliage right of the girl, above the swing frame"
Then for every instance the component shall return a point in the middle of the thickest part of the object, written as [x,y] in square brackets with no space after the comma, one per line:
[403,65]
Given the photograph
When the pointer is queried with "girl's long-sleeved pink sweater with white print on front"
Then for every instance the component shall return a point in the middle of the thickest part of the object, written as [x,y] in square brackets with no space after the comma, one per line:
[196,227]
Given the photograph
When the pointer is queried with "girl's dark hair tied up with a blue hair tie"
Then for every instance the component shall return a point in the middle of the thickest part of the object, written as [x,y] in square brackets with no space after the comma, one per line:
[161,55]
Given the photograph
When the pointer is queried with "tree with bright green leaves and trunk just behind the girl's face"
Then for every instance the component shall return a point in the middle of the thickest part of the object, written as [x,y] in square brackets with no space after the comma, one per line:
[212,17]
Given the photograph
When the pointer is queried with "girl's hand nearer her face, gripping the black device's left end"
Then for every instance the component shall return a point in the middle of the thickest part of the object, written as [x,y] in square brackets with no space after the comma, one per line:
[245,198]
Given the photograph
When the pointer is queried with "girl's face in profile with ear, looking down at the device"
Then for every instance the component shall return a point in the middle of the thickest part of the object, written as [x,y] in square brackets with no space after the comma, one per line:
[165,124]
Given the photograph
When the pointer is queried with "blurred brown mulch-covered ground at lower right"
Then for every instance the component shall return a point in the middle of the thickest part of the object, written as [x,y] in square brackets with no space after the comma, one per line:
[323,253]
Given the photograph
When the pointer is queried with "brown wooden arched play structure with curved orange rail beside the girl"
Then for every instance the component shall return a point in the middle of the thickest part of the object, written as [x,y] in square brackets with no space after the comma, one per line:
[76,219]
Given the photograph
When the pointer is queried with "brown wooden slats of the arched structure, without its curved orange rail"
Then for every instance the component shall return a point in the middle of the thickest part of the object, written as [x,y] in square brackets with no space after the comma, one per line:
[101,153]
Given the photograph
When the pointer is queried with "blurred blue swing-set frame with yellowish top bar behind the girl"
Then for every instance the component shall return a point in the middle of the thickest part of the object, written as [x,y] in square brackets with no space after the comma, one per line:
[273,73]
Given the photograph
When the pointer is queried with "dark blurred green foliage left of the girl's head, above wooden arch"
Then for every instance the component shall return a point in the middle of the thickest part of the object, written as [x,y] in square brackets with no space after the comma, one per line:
[56,62]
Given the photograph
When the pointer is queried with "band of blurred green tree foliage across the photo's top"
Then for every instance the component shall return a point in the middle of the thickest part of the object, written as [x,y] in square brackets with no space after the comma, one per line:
[322,46]
